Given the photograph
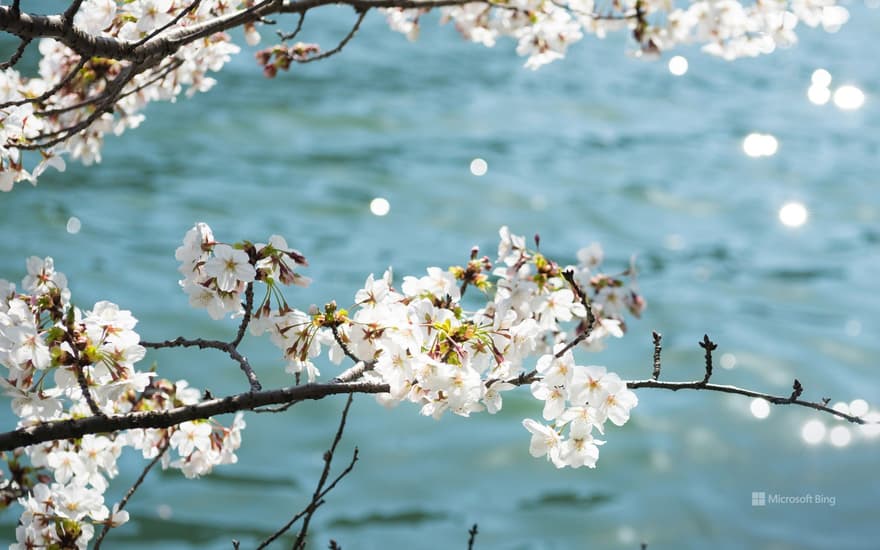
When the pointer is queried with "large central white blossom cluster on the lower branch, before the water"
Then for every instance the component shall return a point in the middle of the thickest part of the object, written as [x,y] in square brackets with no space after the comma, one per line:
[422,342]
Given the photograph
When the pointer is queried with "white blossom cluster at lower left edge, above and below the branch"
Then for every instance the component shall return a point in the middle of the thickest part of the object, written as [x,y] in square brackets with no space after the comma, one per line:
[61,363]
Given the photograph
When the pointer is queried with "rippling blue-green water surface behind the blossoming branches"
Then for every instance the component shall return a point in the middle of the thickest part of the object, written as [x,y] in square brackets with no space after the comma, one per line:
[599,147]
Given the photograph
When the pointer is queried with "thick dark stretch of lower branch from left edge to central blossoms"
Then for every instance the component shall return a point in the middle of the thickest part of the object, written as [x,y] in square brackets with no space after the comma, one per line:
[78,427]
